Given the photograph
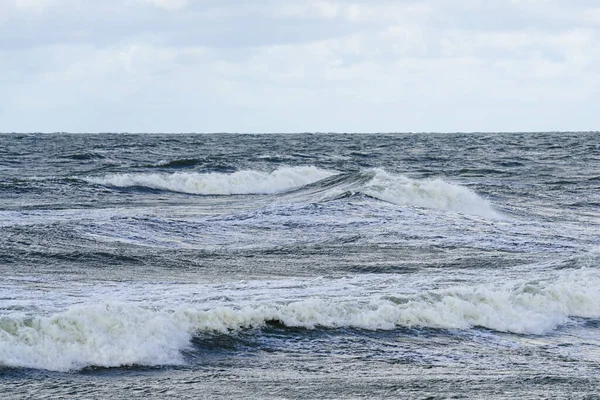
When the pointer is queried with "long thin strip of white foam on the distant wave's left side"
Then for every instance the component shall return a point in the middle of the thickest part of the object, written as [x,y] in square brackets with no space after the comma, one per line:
[241,182]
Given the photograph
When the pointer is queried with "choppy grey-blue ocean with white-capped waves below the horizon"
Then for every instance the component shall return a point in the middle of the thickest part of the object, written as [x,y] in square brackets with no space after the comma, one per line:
[301,266]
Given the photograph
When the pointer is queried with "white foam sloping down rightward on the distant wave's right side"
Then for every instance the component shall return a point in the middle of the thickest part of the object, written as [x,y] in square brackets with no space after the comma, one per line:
[428,193]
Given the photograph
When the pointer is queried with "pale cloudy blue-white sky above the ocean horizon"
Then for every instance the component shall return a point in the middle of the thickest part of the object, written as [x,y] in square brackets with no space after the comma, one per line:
[299,66]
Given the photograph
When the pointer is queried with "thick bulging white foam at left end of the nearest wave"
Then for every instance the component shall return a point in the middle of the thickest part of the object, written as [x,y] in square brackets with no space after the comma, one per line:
[101,335]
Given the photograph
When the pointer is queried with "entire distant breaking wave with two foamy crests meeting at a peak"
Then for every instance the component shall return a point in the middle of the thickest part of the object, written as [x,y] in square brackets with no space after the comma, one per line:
[376,183]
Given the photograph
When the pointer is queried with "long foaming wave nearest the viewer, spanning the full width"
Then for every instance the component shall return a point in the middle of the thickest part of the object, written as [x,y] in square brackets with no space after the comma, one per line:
[118,334]
